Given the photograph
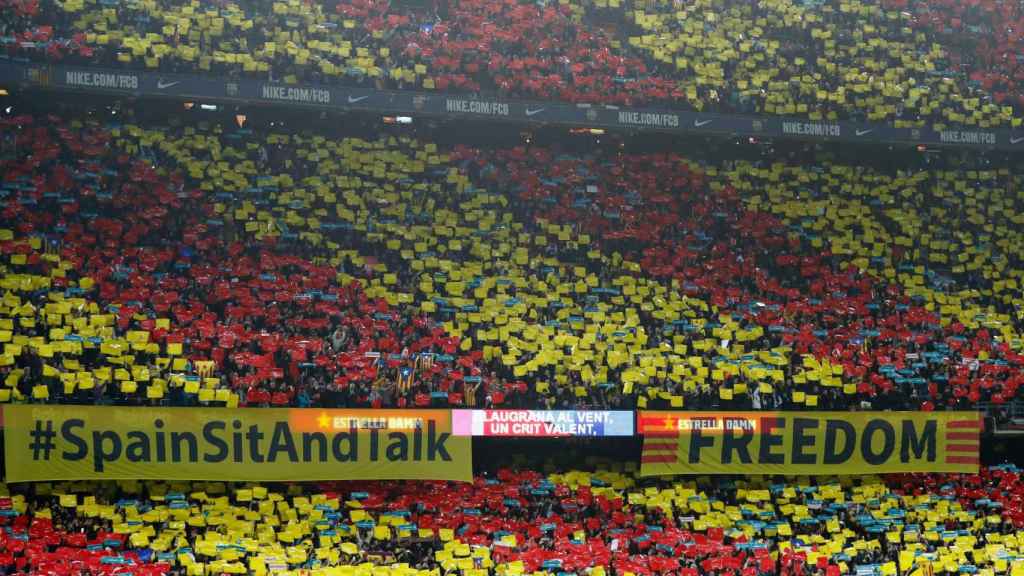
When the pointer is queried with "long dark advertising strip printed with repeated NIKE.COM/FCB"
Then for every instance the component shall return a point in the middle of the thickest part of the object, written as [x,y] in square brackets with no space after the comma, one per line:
[141,84]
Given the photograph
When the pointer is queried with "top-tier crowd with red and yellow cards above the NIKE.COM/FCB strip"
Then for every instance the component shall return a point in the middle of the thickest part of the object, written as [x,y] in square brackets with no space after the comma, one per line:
[883,62]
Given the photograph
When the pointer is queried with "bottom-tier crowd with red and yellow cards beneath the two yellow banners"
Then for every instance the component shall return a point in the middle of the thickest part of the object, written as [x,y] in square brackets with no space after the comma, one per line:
[514,523]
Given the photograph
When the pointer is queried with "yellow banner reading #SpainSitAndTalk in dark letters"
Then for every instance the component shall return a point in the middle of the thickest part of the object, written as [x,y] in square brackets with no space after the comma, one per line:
[222,444]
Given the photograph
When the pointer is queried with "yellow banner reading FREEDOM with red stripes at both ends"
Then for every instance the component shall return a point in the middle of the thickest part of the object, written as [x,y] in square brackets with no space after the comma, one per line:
[797,443]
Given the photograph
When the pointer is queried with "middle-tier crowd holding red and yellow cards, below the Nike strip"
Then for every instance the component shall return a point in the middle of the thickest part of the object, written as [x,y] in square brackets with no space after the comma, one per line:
[223,267]
